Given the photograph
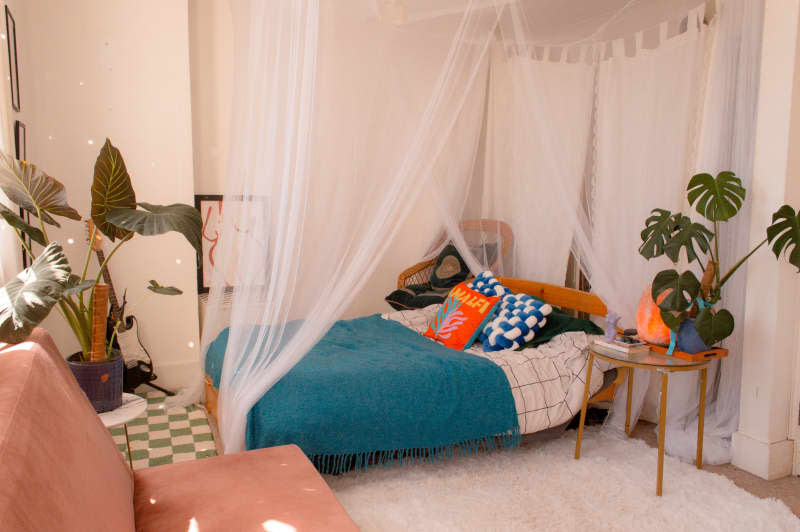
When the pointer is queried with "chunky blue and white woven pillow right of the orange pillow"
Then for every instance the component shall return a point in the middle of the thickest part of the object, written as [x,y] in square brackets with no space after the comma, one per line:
[518,319]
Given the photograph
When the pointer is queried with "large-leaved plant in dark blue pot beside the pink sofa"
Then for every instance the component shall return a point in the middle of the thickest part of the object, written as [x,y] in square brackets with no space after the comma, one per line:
[50,282]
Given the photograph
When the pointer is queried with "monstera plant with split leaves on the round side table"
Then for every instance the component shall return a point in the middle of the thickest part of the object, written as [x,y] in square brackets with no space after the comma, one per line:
[681,295]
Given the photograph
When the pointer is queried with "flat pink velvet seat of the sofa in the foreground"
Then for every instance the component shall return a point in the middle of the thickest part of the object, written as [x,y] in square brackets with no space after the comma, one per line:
[258,490]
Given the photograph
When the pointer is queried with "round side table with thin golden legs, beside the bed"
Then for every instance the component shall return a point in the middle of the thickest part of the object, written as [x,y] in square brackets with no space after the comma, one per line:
[652,361]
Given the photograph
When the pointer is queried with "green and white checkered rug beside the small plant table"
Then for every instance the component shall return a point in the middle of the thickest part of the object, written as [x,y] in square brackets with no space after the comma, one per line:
[162,436]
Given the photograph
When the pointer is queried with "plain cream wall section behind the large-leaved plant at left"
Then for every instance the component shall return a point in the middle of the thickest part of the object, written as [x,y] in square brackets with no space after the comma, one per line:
[95,69]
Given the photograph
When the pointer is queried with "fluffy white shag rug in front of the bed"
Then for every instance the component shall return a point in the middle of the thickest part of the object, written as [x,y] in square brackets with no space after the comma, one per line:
[542,487]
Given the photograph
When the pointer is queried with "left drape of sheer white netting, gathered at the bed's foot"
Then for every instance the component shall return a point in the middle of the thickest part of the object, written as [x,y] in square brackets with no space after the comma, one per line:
[333,141]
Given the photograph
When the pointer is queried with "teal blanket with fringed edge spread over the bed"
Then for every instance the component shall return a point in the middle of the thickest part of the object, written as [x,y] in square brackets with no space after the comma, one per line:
[373,392]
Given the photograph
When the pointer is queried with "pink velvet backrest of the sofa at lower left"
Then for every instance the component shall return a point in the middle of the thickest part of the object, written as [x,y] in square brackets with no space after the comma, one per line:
[59,467]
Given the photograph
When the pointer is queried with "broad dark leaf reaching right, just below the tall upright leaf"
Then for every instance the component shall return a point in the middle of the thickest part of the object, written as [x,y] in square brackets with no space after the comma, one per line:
[159,219]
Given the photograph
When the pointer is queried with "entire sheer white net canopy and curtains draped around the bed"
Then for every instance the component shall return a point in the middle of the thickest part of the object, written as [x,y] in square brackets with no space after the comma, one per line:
[567,120]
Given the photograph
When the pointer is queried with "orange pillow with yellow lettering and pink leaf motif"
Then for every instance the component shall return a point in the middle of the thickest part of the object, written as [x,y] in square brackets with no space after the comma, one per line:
[461,317]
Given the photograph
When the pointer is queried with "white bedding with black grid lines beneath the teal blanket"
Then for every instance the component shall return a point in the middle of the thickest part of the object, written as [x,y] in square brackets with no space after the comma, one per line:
[547,381]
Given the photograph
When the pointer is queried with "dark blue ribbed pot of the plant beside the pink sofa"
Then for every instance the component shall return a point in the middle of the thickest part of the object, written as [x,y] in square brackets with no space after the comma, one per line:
[100,381]
